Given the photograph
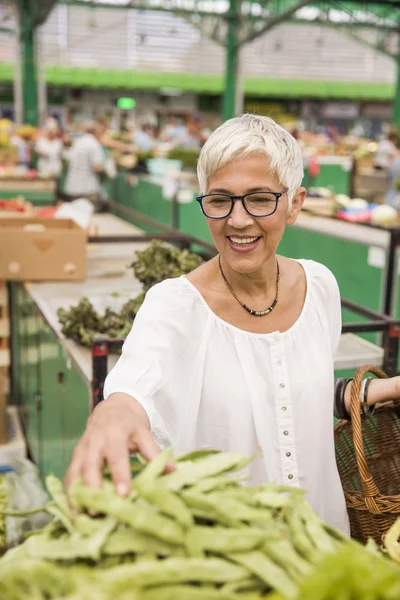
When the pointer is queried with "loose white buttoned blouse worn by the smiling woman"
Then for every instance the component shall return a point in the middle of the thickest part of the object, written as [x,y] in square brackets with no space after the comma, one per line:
[205,383]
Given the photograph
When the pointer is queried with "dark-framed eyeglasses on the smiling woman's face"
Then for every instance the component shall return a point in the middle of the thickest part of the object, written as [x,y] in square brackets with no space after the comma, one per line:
[256,204]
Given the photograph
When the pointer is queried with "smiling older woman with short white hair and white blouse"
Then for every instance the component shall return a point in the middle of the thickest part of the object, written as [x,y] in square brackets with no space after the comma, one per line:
[239,354]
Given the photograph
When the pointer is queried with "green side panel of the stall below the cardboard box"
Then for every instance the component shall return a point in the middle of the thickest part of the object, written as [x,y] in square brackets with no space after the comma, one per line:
[54,425]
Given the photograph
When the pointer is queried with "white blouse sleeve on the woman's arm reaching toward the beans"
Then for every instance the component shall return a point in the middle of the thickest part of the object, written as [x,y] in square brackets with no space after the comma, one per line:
[151,356]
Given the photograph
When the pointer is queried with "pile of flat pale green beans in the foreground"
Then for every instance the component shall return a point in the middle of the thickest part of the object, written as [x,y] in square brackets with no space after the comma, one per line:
[195,533]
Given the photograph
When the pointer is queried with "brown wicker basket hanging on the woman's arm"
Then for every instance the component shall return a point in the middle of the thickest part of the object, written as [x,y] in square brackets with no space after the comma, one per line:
[368,459]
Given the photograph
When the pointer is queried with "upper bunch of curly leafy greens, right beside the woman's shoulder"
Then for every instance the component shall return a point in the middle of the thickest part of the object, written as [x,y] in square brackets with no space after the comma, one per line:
[162,261]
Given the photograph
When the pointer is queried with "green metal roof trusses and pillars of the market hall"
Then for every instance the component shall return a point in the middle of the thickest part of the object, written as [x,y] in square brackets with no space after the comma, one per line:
[233,23]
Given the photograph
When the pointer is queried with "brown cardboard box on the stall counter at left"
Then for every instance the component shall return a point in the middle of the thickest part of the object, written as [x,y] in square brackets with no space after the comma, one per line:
[35,249]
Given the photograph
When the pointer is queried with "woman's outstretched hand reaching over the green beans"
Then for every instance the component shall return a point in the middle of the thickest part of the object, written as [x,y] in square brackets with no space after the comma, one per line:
[117,427]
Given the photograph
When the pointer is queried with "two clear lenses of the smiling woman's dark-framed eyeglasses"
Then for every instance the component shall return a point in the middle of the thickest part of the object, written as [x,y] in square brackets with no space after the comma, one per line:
[259,204]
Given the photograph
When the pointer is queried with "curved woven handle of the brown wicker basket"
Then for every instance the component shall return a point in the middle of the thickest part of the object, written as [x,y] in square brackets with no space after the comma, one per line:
[369,486]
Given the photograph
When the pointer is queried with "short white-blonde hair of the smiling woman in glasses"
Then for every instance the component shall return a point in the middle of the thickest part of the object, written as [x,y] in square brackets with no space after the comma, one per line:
[249,133]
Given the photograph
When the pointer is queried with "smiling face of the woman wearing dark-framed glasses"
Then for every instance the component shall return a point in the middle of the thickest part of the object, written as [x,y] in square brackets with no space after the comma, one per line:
[239,177]
